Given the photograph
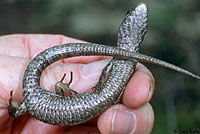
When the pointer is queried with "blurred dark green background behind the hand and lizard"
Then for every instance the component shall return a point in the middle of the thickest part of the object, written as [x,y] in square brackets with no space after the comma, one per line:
[173,35]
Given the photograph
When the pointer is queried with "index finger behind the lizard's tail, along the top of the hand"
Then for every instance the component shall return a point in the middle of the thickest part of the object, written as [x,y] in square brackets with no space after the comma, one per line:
[28,46]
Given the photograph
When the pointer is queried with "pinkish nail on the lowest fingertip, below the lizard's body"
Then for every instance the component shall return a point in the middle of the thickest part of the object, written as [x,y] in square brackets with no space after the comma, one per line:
[123,121]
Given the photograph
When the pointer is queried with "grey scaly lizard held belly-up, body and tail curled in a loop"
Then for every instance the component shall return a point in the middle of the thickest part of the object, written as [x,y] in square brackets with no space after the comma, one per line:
[77,108]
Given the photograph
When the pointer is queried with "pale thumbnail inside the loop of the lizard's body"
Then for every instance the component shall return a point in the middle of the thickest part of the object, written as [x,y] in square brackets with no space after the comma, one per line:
[93,70]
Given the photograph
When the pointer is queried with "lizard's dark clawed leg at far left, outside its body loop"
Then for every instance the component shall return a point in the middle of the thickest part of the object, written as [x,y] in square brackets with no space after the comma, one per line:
[15,110]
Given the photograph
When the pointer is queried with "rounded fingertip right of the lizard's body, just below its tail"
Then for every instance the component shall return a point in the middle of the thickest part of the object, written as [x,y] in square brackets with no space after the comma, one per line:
[140,87]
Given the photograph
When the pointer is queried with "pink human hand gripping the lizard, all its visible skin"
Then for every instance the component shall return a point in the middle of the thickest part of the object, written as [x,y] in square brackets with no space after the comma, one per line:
[132,114]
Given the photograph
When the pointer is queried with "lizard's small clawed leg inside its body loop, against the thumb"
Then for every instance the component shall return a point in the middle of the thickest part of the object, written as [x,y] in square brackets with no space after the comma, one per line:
[60,86]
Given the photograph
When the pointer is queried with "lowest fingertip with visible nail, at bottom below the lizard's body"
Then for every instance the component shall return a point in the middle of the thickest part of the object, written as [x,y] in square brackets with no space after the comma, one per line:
[120,119]
